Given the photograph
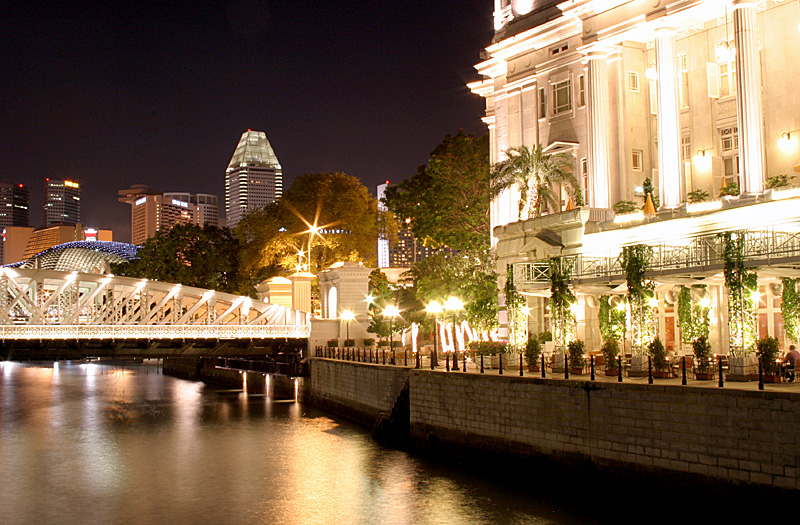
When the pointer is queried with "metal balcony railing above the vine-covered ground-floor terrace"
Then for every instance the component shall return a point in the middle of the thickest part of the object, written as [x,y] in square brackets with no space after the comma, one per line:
[700,256]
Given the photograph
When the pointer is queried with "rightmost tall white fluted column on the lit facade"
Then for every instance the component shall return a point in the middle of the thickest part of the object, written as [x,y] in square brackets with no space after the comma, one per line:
[748,88]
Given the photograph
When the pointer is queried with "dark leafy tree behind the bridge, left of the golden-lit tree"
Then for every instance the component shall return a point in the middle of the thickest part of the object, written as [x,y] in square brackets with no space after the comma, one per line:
[204,257]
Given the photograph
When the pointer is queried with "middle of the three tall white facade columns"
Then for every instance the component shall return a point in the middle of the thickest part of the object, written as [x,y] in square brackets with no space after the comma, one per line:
[670,174]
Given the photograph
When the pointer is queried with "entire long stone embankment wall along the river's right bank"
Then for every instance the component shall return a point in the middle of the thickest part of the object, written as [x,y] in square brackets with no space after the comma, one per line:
[725,434]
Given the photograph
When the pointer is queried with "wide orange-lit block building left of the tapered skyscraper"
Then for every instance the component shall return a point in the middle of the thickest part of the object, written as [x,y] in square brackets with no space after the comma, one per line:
[152,210]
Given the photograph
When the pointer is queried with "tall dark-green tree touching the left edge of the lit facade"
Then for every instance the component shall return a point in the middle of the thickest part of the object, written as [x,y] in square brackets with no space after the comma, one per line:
[446,203]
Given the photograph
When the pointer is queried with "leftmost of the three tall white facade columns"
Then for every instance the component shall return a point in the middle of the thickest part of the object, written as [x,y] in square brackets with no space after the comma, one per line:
[598,128]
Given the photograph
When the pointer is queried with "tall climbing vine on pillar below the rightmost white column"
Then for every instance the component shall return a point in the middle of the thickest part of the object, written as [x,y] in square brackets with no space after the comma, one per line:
[741,284]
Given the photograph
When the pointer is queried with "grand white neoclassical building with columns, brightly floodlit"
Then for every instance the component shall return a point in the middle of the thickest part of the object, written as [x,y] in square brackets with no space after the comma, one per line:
[694,94]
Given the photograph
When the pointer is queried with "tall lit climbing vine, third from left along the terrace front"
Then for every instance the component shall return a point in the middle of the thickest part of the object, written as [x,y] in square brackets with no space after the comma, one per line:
[635,261]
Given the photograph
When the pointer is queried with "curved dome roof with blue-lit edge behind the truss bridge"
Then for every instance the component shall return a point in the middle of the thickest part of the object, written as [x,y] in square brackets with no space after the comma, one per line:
[81,256]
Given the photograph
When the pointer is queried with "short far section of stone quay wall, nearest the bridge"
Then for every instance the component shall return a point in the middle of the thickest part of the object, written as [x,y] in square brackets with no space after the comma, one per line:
[359,391]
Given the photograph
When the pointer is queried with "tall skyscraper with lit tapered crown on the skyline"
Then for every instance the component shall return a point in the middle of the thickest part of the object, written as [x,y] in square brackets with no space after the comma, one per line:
[254,177]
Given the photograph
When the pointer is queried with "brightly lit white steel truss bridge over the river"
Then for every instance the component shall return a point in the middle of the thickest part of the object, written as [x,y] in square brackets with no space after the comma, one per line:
[69,314]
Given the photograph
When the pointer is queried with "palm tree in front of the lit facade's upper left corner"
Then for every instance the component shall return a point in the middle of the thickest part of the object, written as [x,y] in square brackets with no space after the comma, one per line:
[534,173]
